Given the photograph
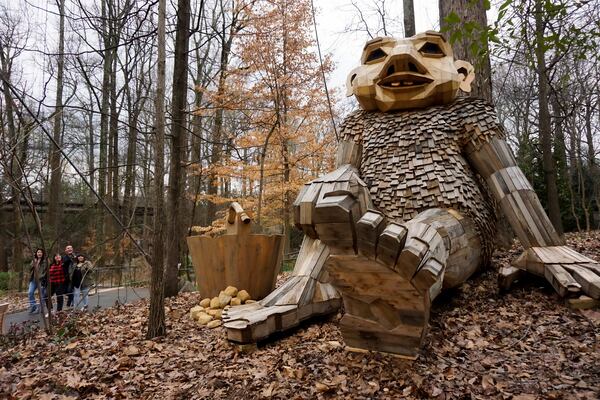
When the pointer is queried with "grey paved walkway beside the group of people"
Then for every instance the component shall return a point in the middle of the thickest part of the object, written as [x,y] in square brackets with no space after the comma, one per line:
[104,298]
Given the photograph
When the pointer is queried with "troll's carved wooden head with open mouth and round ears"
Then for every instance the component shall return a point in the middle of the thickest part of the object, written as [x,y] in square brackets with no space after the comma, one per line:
[417,72]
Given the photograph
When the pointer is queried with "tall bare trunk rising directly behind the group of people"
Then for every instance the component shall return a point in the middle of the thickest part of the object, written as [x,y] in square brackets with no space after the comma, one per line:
[55,167]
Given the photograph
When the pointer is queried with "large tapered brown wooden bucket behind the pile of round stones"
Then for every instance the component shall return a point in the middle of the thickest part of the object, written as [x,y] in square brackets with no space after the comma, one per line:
[248,262]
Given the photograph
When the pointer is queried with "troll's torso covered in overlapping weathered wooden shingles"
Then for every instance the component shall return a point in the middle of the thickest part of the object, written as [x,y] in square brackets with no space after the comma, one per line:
[414,160]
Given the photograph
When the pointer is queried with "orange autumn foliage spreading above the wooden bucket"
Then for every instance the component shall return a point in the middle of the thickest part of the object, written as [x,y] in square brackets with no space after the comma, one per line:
[279,131]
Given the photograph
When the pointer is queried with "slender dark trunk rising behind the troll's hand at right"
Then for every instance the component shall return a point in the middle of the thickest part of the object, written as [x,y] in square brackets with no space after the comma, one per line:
[544,123]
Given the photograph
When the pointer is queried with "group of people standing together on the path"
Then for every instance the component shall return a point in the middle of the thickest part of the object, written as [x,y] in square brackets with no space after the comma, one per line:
[67,275]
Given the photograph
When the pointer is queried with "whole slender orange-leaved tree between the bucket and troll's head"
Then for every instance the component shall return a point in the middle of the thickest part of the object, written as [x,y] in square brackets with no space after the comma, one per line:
[280,86]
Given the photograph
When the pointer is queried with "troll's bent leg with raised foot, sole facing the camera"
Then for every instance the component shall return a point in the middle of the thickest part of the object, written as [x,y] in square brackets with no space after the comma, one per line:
[388,287]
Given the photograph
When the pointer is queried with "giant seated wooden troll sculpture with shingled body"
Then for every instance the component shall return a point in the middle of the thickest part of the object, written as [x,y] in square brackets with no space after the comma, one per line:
[411,208]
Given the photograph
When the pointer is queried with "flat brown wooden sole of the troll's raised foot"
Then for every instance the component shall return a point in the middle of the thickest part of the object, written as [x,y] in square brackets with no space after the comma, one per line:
[383,311]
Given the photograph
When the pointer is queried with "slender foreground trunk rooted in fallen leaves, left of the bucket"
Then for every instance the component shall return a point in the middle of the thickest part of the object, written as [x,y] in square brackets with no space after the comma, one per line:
[156,317]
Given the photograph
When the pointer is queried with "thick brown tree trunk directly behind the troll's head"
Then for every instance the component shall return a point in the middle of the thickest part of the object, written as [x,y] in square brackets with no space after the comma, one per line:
[469,11]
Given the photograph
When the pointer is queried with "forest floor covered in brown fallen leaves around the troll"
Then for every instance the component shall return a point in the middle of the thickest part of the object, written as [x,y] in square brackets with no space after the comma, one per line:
[525,344]
